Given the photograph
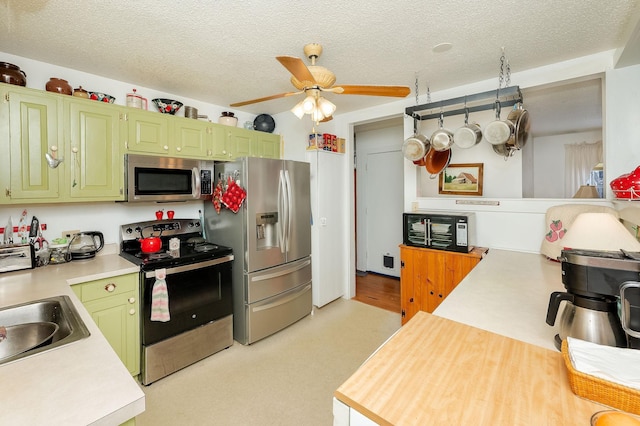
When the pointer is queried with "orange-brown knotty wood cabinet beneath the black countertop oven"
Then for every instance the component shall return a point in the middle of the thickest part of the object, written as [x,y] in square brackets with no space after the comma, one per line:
[428,276]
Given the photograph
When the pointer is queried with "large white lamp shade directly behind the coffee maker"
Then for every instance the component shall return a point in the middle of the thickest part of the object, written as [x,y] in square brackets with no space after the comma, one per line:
[599,231]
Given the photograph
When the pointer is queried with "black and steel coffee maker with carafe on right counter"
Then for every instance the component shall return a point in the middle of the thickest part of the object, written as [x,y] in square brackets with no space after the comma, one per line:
[602,298]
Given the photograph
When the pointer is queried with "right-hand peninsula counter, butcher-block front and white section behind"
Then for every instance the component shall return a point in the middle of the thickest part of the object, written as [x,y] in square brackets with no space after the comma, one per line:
[485,357]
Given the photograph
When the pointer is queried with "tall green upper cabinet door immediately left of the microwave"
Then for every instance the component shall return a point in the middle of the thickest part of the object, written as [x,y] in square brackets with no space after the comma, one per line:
[95,168]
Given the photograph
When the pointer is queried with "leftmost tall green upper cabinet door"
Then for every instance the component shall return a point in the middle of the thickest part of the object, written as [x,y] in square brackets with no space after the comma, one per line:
[34,131]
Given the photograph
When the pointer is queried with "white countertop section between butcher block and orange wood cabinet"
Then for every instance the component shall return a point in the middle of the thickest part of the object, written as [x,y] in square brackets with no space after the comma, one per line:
[508,293]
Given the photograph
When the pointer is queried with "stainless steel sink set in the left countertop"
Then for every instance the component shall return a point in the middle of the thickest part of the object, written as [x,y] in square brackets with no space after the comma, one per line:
[58,310]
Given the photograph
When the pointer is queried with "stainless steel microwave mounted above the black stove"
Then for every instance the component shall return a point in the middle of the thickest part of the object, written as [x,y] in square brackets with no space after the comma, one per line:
[167,179]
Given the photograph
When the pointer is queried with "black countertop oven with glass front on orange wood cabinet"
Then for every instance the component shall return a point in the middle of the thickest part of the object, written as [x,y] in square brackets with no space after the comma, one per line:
[440,230]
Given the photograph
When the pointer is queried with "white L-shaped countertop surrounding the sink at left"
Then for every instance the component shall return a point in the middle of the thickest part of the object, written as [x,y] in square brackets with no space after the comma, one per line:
[81,383]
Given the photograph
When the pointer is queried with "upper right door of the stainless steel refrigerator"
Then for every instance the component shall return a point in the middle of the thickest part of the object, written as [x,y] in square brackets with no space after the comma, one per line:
[298,180]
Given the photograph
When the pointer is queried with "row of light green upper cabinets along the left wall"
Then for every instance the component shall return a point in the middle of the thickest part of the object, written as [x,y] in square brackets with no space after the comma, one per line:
[91,138]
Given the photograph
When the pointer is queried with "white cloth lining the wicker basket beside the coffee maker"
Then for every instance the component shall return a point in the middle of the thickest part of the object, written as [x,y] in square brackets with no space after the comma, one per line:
[617,365]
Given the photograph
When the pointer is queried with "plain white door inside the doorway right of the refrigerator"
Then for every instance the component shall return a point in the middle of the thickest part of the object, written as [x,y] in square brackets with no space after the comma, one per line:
[384,209]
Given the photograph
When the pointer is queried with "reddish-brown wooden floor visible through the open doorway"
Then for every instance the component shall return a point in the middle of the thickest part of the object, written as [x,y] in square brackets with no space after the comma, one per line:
[378,290]
